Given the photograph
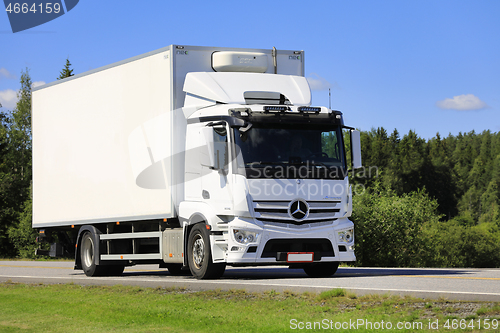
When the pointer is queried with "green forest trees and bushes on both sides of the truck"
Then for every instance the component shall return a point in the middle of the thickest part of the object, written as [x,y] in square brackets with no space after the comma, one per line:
[416,203]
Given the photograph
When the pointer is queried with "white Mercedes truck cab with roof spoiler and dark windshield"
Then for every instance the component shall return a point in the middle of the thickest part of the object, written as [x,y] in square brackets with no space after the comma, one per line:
[270,172]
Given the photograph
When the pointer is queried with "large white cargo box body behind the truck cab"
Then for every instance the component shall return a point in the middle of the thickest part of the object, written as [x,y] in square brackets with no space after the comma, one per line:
[83,170]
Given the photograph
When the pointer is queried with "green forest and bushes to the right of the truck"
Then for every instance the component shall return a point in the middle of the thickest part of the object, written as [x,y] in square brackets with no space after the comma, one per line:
[428,203]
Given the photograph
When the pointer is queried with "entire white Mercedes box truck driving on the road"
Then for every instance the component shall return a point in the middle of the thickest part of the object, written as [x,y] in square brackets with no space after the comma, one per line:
[192,158]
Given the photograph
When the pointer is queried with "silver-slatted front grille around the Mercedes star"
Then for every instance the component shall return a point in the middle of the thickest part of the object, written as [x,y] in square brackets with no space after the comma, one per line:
[277,211]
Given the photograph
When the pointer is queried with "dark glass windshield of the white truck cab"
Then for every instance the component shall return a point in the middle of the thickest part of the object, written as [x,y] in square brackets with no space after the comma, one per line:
[293,151]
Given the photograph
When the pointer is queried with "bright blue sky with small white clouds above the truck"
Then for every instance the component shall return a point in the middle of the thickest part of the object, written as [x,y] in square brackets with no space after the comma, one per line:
[429,66]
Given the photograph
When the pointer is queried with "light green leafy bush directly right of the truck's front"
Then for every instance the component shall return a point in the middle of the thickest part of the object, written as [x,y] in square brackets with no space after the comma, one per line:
[389,228]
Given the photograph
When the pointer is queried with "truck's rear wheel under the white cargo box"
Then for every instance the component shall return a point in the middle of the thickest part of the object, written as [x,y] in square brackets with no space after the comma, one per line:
[87,256]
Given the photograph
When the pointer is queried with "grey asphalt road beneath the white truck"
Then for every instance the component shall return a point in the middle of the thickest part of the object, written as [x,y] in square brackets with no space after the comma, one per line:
[457,284]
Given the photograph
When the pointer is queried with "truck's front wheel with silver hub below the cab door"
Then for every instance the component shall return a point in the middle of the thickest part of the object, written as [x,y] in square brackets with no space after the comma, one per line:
[200,256]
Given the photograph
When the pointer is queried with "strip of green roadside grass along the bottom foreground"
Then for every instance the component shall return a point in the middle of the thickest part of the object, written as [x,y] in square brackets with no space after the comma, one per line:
[75,308]
